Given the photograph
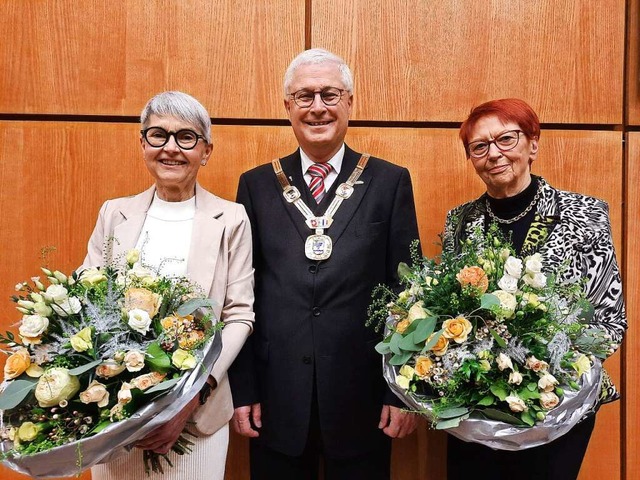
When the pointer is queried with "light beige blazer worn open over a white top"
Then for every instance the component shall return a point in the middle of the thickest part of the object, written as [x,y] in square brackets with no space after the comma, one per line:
[220,261]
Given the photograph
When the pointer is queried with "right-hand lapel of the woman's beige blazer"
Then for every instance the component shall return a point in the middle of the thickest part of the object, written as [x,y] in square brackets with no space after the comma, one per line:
[206,239]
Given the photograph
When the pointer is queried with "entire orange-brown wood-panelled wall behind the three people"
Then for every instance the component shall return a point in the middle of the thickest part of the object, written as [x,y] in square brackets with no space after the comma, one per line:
[74,76]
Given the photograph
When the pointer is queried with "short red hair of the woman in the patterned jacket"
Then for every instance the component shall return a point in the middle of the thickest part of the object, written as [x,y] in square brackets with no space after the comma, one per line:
[507,110]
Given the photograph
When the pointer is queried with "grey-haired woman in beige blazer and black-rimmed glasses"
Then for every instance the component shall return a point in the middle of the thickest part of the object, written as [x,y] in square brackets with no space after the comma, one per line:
[207,239]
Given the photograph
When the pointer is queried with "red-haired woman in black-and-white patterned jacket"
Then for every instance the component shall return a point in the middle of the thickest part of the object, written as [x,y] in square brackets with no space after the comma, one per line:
[500,138]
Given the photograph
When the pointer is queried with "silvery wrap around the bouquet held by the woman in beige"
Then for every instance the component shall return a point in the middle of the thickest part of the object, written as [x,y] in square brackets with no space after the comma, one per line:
[72,458]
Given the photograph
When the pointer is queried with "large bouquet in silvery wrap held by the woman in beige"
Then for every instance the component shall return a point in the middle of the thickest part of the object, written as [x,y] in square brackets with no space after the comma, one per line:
[101,359]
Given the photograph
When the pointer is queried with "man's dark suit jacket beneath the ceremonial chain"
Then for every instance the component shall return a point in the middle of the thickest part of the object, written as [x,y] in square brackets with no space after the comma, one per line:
[310,315]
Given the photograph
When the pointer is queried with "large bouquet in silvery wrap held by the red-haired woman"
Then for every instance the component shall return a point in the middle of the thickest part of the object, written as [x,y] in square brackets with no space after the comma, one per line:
[485,344]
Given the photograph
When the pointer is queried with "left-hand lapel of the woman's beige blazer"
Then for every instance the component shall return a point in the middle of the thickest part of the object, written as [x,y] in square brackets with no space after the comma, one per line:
[125,234]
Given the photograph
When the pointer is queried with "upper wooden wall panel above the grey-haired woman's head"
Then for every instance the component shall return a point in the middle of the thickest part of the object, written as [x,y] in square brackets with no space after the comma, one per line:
[101,57]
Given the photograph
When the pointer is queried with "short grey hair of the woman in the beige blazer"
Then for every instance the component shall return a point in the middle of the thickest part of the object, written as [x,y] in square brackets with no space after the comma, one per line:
[179,105]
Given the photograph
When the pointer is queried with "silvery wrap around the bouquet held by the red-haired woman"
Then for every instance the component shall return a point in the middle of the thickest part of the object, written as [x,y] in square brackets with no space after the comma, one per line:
[504,436]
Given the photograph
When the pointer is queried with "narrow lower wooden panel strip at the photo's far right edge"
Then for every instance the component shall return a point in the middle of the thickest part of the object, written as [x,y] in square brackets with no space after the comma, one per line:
[632,287]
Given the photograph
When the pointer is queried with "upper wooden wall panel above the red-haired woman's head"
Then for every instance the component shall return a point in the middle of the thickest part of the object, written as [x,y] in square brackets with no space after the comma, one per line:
[418,60]
